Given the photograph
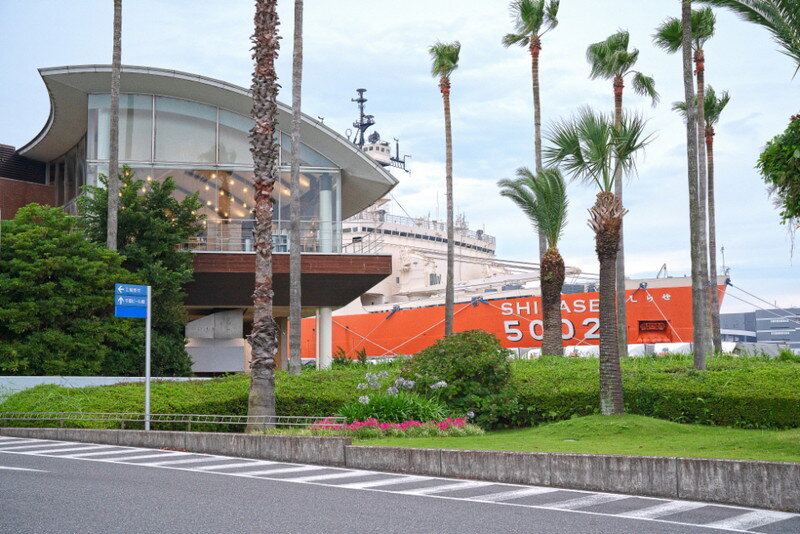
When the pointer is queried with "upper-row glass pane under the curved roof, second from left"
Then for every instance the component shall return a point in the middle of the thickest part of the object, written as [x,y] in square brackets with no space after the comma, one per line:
[185,131]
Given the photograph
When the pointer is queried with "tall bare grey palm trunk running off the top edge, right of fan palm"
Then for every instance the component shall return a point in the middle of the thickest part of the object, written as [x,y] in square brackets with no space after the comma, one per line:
[696,217]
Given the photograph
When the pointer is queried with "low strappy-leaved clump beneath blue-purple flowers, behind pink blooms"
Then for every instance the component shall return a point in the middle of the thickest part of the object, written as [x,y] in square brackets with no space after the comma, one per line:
[403,406]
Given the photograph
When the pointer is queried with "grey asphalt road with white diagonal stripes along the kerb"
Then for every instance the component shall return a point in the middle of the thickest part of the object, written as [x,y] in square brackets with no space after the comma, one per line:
[62,487]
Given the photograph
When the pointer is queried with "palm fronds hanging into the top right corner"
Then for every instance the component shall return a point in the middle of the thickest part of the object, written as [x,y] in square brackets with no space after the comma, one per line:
[780,17]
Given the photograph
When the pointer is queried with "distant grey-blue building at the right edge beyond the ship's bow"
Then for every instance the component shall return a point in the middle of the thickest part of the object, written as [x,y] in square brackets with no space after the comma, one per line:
[763,326]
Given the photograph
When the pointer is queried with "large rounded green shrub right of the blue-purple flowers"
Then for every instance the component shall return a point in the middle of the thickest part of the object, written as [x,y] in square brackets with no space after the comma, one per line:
[473,365]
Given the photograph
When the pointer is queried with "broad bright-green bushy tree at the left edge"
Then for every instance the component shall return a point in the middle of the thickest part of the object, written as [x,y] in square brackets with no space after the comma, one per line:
[56,300]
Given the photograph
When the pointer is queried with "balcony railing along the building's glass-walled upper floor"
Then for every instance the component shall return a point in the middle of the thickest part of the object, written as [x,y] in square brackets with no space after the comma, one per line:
[236,235]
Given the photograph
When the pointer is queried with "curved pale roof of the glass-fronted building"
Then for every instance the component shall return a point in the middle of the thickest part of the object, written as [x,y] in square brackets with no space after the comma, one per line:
[363,180]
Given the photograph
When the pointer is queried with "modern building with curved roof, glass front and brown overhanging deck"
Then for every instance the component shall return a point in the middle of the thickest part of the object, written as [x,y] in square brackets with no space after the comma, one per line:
[196,130]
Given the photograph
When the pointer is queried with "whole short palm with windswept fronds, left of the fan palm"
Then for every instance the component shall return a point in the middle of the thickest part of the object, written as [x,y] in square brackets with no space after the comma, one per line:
[543,198]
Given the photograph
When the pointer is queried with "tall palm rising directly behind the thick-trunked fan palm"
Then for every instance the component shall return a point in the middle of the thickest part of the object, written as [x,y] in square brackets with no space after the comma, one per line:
[611,60]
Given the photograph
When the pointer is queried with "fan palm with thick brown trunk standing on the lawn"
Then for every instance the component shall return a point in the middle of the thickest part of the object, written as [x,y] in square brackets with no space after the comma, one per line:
[592,148]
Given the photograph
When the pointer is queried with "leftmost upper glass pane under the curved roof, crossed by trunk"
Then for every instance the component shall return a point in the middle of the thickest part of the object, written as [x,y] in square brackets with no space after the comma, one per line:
[135,127]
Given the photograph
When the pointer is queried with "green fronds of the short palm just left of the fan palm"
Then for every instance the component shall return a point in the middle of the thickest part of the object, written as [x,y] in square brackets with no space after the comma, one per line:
[542,197]
